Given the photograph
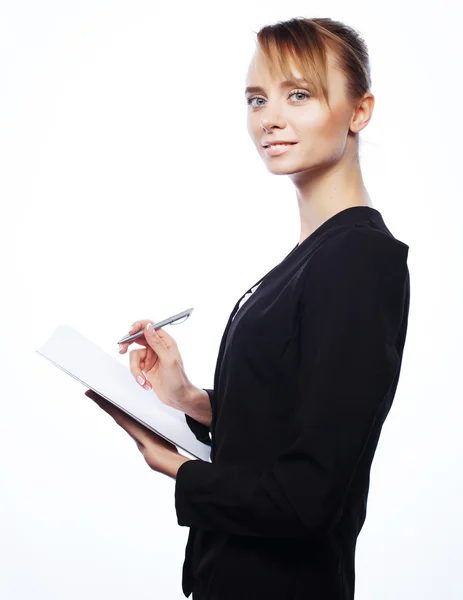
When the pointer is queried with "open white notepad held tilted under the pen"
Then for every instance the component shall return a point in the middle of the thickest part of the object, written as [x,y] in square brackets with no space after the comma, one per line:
[80,358]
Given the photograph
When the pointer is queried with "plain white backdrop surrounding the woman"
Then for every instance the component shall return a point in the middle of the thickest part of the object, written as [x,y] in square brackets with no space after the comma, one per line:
[130,189]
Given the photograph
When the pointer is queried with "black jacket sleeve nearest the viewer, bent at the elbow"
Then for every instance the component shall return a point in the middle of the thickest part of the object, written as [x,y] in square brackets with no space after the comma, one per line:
[352,309]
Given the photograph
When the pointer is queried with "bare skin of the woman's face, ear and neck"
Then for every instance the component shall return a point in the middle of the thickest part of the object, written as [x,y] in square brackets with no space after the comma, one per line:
[323,165]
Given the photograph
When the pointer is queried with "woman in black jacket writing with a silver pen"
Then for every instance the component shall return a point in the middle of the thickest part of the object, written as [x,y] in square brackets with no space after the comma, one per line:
[310,358]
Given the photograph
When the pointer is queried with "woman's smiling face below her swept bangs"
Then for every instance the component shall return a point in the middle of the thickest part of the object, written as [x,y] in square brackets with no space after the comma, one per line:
[289,113]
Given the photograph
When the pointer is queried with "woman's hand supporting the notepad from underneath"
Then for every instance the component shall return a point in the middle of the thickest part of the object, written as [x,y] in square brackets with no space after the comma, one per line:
[160,455]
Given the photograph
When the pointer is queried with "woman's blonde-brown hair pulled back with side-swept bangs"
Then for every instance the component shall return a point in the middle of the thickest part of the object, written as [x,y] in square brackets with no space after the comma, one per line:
[304,42]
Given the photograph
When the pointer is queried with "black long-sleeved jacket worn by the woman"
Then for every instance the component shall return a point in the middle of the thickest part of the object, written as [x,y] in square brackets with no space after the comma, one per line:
[305,377]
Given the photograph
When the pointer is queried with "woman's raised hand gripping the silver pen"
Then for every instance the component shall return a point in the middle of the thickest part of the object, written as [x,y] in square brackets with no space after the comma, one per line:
[159,365]
